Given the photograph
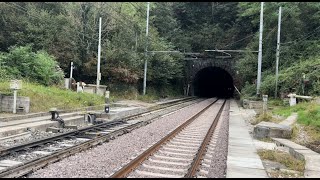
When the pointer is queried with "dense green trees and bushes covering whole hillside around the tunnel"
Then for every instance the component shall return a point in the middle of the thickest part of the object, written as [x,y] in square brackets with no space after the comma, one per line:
[68,31]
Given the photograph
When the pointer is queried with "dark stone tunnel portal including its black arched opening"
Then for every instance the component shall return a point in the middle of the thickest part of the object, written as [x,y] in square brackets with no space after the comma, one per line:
[203,69]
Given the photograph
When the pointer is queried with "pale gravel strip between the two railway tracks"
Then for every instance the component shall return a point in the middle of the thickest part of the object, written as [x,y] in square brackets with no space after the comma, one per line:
[103,160]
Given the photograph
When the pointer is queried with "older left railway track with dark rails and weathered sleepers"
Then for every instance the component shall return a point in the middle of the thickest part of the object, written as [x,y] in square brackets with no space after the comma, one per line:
[29,157]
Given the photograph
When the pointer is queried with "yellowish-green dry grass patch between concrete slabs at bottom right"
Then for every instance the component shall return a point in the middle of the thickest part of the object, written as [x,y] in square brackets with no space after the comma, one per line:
[283,158]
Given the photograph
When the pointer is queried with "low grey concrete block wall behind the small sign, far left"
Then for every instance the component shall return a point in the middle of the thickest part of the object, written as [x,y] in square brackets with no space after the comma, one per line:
[6,104]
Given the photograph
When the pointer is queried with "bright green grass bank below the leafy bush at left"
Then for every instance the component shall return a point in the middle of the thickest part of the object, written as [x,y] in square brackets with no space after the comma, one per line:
[42,98]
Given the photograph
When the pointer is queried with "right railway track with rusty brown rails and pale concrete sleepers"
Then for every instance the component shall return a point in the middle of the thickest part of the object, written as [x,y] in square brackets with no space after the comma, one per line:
[181,152]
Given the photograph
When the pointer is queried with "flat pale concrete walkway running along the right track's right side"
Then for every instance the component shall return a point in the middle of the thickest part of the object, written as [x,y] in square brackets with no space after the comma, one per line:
[243,160]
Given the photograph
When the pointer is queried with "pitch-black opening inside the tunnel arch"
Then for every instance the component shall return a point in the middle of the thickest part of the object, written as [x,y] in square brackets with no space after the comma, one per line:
[213,82]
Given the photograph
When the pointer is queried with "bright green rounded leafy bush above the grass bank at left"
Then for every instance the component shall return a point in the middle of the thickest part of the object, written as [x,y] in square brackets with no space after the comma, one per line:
[21,63]
